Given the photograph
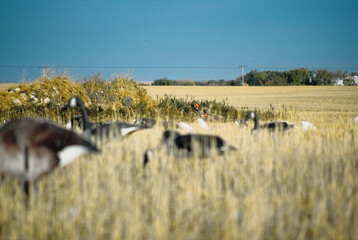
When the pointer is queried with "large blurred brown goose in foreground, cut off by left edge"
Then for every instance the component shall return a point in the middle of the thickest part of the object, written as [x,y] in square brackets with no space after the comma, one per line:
[30,149]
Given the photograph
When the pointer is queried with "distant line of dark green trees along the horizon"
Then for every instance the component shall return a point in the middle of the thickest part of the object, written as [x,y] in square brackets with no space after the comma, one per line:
[300,76]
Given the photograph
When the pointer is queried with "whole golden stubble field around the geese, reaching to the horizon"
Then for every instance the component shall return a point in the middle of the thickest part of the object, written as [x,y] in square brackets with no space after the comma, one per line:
[299,185]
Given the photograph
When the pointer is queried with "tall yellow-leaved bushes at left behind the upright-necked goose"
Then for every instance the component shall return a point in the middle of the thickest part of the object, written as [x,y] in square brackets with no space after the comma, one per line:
[51,91]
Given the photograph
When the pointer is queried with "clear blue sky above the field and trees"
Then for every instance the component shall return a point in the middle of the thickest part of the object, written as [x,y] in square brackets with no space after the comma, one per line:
[163,33]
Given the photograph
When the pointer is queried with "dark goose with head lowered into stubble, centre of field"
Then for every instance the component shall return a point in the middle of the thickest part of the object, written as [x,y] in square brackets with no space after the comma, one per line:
[189,145]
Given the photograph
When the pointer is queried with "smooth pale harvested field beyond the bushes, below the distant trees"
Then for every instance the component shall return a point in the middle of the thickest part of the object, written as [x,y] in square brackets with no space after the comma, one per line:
[302,98]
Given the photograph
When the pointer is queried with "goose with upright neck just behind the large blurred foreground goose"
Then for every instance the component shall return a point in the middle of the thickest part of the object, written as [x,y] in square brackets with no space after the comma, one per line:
[106,129]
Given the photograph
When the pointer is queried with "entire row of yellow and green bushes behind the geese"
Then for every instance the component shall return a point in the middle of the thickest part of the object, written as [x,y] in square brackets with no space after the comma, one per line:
[120,98]
